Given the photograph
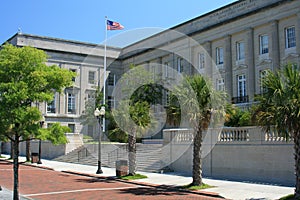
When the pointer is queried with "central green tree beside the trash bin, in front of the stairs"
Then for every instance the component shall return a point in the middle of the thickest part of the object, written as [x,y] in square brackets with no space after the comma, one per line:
[138,92]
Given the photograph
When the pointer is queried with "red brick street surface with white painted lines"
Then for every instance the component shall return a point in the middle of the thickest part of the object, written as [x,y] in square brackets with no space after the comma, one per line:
[37,183]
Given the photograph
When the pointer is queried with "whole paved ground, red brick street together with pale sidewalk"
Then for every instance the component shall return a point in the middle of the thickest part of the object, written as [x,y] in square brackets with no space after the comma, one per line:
[58,180]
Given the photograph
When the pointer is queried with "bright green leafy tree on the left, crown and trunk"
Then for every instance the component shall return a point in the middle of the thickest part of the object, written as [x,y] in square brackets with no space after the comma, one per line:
[25,79]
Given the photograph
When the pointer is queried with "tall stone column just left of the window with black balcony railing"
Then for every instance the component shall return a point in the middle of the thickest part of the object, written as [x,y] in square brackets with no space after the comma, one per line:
[228,66]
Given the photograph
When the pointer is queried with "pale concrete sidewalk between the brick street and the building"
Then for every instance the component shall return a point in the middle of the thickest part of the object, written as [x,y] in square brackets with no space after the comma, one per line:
[226,189]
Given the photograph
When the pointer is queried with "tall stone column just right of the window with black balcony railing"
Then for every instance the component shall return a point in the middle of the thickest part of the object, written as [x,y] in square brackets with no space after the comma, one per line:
[250,64]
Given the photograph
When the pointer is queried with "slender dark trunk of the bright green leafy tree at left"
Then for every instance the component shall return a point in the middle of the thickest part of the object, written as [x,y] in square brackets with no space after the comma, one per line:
[16,166]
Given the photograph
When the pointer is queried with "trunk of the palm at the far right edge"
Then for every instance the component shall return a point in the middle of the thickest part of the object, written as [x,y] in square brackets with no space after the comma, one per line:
[297,162]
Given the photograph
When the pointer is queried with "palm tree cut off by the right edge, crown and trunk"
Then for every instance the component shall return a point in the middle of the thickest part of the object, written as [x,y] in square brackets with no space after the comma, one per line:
[279,108]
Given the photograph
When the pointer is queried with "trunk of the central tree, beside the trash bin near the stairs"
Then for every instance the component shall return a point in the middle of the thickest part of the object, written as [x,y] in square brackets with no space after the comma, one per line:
[132,154]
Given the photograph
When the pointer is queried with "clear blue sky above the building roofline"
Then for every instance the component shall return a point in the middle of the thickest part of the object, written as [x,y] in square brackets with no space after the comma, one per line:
[84,20]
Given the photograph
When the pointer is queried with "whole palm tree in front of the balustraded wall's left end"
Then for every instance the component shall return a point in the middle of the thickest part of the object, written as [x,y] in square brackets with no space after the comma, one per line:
[202,105]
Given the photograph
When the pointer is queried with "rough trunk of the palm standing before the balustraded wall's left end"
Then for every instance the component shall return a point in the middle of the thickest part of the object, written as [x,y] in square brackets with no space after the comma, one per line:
[197,162]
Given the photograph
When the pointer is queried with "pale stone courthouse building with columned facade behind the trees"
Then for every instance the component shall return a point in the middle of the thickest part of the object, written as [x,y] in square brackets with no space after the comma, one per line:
[233,45]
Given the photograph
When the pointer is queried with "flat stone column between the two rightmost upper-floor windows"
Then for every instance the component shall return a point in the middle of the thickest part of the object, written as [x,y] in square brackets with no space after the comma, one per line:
[275,51]
